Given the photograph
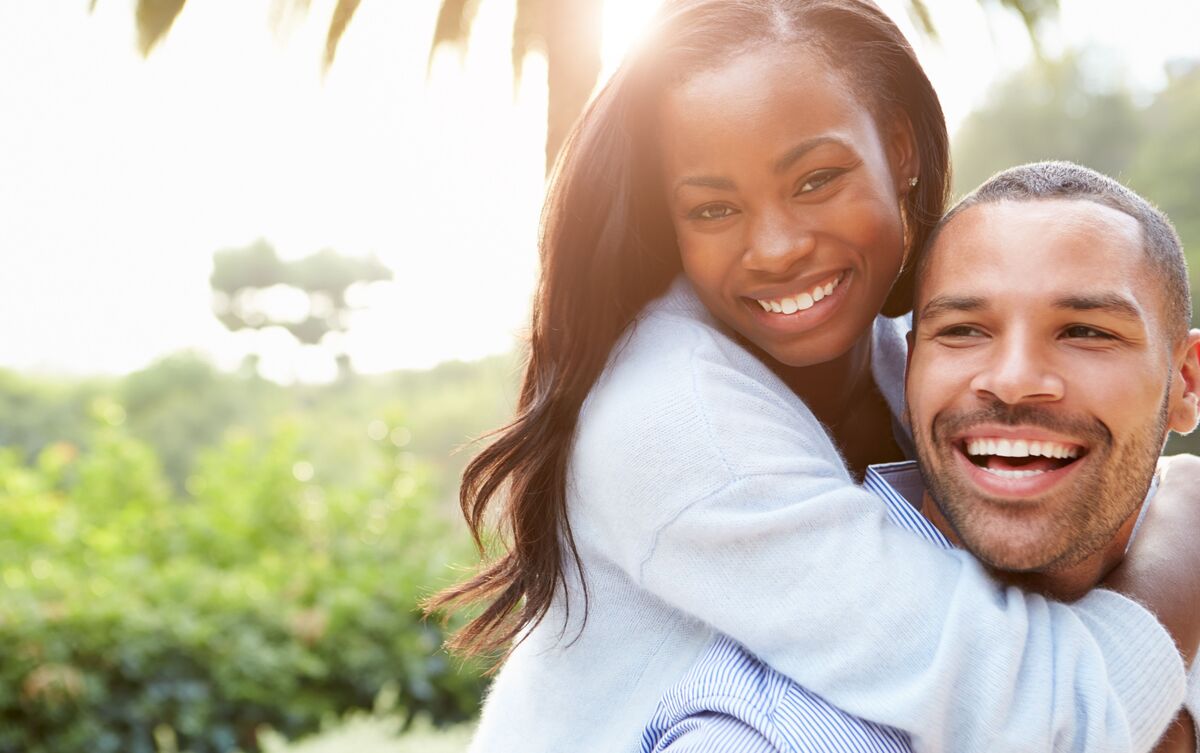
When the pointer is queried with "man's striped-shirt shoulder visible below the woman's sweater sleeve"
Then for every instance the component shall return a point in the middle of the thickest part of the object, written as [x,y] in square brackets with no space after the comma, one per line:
[729,683]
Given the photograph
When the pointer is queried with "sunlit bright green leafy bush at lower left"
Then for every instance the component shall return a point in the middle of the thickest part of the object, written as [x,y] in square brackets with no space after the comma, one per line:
[262,599]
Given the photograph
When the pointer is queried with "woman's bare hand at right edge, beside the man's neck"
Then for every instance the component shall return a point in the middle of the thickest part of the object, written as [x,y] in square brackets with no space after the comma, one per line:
[1162,569]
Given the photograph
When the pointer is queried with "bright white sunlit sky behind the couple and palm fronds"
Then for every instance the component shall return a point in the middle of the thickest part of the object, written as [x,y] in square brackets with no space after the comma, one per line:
[119,177]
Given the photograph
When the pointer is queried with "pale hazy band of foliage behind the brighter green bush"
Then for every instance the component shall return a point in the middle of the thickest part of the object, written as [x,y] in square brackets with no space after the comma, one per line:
[182,405]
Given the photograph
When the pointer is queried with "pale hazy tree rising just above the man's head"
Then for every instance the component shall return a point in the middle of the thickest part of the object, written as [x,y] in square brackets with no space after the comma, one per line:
[1049,111]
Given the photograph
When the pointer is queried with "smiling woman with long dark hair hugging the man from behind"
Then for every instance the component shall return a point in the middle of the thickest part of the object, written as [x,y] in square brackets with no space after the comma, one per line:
[679,465]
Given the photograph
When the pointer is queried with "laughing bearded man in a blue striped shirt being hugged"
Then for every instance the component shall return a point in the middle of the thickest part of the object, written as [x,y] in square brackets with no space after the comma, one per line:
[1051,357]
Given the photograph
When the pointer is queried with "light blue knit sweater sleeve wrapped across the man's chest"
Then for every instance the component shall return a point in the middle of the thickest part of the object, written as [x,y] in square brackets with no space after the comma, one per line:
[717,493]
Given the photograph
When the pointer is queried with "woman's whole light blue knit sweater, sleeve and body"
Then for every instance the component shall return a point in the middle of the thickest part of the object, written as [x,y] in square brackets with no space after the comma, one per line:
[704,495]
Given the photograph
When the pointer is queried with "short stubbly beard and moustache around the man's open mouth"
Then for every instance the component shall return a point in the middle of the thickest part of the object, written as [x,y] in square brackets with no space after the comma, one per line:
[1082,516]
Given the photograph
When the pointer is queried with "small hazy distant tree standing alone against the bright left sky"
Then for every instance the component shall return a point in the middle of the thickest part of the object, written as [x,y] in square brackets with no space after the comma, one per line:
[253,288]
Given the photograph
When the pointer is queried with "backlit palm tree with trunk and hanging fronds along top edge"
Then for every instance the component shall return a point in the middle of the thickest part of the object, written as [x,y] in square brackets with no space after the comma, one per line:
[568,32]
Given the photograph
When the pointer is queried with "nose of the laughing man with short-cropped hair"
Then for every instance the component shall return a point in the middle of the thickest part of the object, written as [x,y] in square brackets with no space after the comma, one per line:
[1019,372]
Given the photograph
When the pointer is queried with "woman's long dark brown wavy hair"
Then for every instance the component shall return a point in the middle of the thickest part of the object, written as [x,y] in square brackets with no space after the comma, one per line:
[608,249]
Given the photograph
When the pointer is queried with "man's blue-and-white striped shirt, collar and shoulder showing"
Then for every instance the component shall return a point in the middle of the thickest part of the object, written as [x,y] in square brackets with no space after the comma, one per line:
[730,702]
